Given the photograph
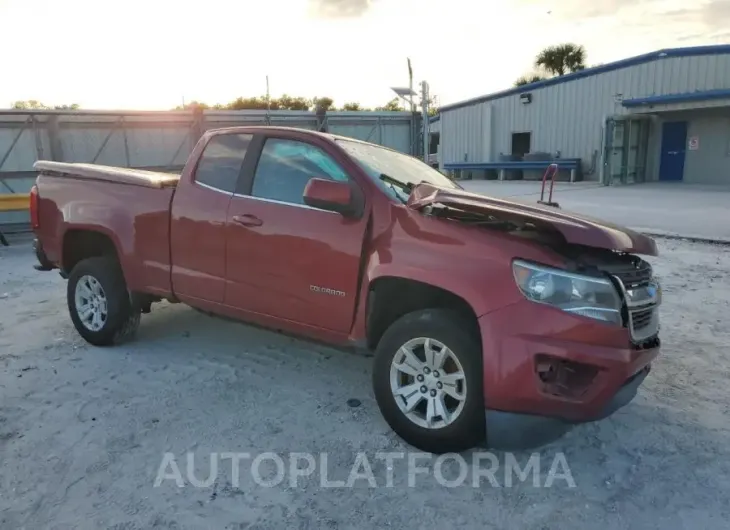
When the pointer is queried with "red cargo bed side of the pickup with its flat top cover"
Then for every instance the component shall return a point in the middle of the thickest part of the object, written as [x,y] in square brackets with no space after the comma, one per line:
[130,207]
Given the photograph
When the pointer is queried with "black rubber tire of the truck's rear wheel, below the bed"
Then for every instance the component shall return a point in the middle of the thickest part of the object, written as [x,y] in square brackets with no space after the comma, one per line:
[121,320]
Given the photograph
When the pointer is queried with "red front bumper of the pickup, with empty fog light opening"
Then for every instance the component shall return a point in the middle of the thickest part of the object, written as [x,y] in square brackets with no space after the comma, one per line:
[521,410]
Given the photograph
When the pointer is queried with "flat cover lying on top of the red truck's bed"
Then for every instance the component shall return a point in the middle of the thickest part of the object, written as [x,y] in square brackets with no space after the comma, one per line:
[119,175]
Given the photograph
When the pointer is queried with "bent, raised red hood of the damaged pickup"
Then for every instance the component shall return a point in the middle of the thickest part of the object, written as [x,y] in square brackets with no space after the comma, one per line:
[575,228]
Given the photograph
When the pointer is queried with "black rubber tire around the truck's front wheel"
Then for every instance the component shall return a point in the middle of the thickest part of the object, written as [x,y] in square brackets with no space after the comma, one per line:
[448,329]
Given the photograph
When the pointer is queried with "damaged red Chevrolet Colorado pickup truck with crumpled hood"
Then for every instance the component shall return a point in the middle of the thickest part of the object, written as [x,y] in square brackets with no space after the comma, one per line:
[490,319]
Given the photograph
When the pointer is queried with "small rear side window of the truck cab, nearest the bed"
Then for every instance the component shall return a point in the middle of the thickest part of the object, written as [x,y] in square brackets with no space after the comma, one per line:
[221,161]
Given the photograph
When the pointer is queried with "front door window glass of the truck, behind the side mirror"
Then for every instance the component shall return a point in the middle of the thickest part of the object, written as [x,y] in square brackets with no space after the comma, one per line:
[286,166]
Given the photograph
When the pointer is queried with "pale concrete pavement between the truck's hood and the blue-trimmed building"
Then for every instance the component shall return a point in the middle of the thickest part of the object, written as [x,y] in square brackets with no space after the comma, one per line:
[648,207]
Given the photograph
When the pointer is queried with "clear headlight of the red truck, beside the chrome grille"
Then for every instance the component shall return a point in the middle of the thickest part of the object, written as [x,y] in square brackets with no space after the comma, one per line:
[582,295]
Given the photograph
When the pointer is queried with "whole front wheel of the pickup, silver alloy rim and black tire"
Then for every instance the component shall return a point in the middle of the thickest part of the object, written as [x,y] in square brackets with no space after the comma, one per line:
[428,384]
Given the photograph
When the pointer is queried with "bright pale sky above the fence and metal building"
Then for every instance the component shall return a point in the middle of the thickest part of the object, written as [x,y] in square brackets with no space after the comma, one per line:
[153,54]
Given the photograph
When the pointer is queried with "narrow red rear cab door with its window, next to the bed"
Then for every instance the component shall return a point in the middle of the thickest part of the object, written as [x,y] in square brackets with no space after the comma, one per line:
[198,219]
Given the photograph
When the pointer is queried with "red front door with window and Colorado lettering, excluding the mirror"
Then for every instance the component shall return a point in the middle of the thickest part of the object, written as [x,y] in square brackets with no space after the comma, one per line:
[286,259]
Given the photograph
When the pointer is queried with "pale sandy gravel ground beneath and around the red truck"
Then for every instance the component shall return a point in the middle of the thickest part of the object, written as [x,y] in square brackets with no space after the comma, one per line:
[83,430]
